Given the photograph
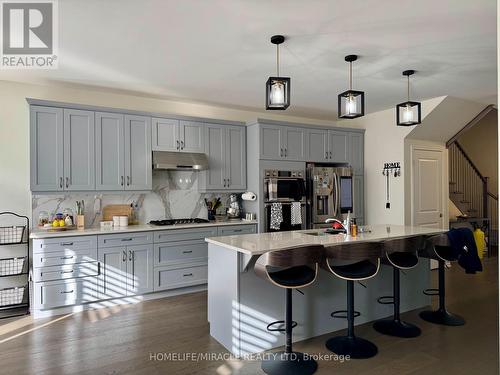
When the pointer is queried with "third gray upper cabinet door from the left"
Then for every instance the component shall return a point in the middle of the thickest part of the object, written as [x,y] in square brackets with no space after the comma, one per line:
[110,151]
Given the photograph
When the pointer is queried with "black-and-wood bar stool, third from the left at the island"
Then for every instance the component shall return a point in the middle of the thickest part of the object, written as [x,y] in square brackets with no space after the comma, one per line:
[400,254]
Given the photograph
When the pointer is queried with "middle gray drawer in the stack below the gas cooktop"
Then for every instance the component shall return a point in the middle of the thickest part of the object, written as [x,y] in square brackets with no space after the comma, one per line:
[178,252]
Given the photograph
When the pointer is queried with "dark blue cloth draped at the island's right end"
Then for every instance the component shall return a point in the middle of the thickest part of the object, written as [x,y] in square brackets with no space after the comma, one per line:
[464,248]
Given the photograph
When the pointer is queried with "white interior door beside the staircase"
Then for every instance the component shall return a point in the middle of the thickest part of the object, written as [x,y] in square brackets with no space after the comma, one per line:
[428,188]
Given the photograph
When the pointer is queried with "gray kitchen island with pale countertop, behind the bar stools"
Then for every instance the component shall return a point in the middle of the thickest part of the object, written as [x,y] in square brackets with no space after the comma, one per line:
[241,305]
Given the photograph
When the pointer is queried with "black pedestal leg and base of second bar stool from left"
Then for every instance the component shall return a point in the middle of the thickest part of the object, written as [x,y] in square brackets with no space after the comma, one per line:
[351,345]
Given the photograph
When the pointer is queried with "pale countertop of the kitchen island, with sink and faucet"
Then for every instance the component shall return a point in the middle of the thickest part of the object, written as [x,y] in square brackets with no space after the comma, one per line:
[259,243]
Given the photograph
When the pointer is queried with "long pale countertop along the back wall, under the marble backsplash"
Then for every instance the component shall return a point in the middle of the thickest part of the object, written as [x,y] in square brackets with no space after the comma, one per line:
[41,233]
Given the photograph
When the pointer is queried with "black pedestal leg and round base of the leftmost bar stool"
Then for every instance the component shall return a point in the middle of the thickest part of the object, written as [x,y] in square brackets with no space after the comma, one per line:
[288,362]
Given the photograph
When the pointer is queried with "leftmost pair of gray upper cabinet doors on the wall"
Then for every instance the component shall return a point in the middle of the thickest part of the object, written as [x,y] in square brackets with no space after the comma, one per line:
[62,153]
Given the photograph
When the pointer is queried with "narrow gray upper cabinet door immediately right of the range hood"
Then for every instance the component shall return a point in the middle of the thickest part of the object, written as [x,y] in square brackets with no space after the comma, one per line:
[215,139]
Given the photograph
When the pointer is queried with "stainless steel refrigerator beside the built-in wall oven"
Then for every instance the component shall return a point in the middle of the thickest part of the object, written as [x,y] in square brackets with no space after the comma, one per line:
[329,193]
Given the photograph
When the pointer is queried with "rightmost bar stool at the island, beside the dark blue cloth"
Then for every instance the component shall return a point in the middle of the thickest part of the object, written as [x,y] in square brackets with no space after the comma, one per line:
[438,248]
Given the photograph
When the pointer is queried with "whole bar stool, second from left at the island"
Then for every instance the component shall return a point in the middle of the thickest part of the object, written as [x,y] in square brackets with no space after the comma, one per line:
[353,262]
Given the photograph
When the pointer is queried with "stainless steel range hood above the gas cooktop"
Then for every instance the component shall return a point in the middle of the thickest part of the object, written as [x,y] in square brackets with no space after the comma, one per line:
[187,161]
